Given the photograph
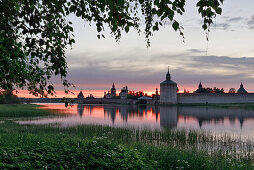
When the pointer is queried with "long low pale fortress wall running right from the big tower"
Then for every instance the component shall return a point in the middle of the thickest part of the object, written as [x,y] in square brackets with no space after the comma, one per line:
[215,98]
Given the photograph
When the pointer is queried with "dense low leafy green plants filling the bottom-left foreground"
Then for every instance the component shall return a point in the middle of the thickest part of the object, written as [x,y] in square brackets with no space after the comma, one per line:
[63,152]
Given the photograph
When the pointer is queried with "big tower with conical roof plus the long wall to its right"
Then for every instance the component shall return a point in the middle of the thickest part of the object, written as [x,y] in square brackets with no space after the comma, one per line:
[169,95]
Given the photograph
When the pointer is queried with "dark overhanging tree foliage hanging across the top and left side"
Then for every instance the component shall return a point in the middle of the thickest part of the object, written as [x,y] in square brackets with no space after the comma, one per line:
[35,34]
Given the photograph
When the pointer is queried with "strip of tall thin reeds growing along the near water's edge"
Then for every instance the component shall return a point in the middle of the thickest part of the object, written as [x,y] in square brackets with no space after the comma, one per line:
[225,145]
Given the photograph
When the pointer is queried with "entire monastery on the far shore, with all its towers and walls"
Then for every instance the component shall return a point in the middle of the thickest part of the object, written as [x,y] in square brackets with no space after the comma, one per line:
[169,95]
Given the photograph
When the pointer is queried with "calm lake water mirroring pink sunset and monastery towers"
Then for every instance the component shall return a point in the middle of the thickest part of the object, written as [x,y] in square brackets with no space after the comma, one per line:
[238,122]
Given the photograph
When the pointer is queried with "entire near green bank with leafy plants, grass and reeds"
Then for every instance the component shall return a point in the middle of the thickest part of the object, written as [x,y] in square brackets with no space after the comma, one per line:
[91,146]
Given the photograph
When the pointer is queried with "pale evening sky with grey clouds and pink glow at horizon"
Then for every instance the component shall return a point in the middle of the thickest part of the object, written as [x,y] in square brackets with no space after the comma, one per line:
[224,61]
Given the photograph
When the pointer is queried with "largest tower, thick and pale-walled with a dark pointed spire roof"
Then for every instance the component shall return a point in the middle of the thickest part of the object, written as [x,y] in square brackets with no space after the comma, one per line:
[168,91]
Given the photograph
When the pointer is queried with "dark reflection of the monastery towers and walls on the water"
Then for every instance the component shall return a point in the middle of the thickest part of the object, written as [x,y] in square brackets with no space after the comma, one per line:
[169,116]
